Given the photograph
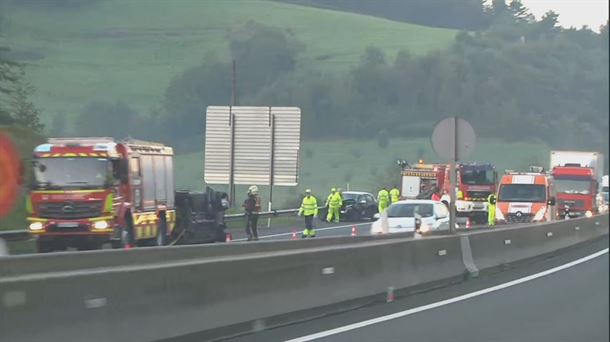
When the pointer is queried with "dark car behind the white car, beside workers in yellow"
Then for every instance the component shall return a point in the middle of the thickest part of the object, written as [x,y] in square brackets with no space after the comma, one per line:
[357,206]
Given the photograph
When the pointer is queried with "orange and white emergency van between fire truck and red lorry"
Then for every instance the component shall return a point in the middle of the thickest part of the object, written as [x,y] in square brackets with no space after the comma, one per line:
[525,197]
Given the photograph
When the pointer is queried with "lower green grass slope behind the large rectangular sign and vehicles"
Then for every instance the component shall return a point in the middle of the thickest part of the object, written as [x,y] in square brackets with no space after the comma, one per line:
[363,164]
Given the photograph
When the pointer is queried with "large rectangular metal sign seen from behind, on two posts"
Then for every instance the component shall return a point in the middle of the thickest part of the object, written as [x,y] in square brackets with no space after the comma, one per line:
[252,145]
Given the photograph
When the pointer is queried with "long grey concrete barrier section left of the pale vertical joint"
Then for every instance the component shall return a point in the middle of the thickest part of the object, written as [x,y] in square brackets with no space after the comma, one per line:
[170,299]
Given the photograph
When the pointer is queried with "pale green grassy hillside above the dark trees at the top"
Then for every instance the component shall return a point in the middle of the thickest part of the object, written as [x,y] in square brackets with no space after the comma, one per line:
[130,49]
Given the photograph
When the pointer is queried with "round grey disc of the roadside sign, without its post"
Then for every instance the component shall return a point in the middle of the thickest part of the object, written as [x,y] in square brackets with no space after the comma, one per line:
[453,139]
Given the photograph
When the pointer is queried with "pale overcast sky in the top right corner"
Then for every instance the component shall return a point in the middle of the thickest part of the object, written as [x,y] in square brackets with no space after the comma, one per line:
[577,13]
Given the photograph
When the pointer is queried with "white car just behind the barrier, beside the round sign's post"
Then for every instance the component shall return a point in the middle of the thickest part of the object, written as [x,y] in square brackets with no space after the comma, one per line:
[402,215]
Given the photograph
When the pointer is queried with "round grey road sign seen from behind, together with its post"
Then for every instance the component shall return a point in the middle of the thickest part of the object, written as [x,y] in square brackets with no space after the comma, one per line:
[453,139]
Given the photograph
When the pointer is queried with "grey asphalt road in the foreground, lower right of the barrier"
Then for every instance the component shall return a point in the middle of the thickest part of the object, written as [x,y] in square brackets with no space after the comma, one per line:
[568,305]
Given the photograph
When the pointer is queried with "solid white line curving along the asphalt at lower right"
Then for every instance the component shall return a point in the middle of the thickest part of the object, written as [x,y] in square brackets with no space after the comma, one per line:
[445,302]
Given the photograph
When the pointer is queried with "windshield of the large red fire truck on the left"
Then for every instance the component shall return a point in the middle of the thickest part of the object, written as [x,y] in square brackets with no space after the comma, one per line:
[71,172]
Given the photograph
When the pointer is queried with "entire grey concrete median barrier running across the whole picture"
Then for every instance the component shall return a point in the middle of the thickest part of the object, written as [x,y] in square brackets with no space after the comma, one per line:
[207,289]
